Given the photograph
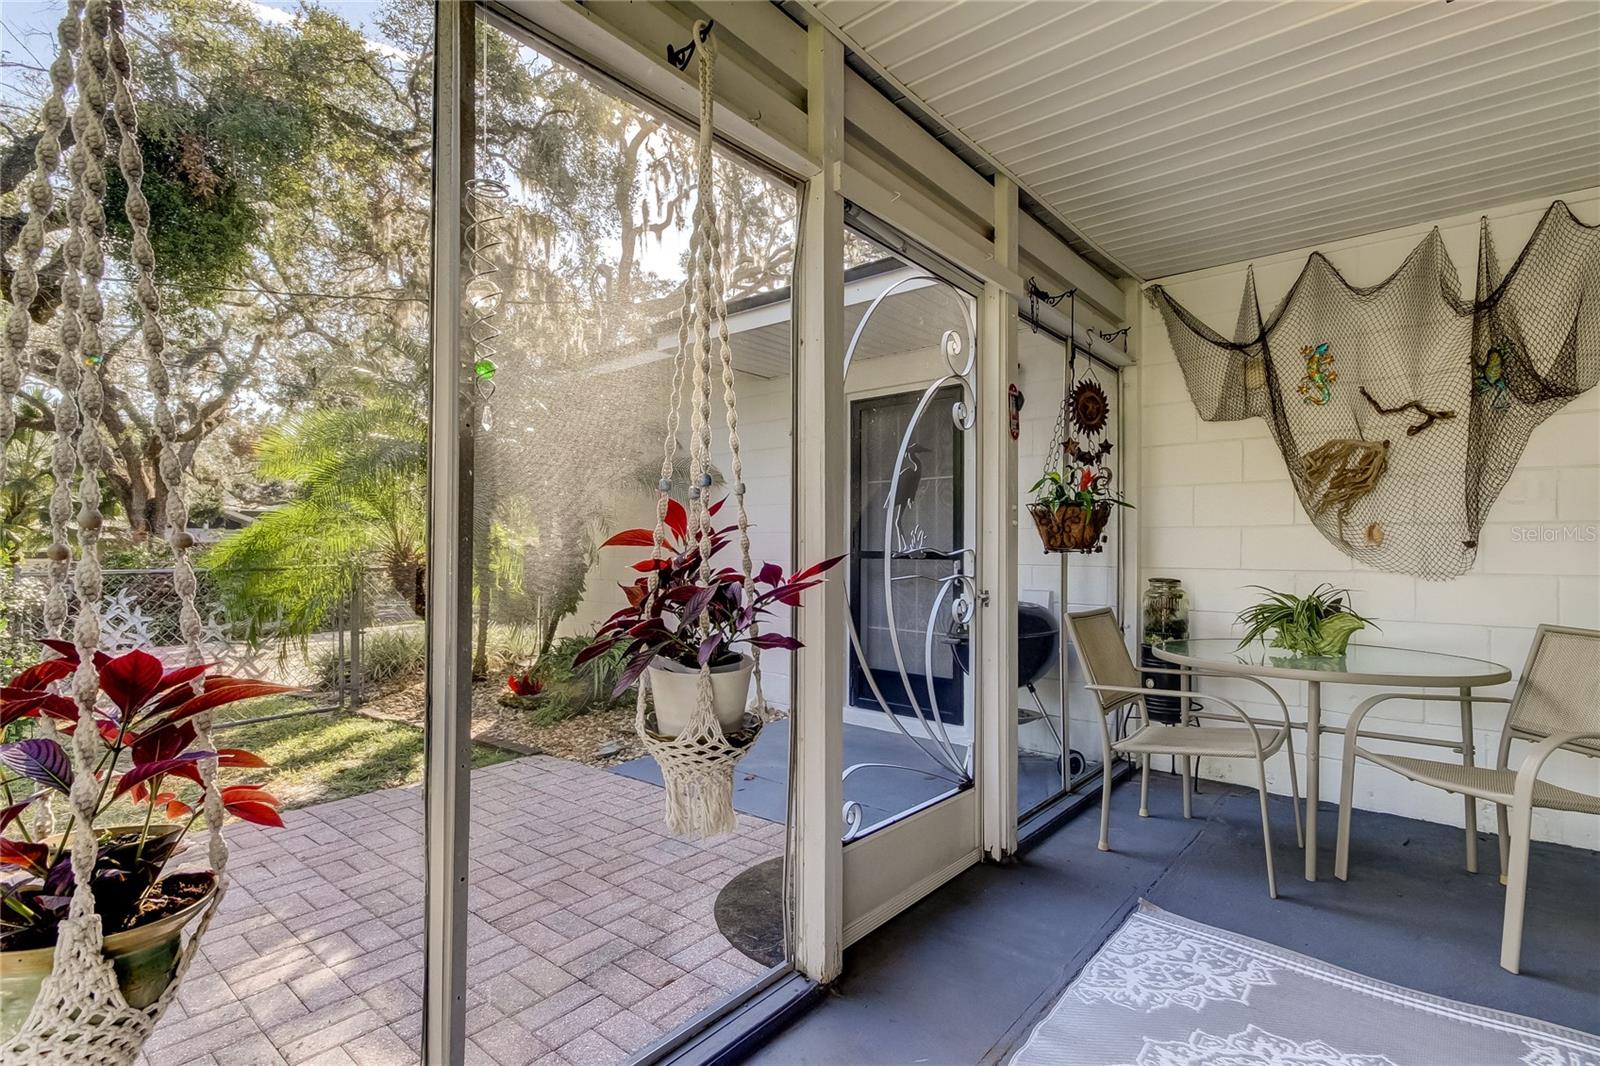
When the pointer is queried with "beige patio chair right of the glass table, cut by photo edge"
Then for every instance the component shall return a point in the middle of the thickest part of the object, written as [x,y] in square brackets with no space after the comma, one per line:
[1556,707]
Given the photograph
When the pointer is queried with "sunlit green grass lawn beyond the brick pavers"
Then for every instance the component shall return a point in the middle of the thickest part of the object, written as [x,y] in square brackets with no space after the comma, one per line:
[321,758]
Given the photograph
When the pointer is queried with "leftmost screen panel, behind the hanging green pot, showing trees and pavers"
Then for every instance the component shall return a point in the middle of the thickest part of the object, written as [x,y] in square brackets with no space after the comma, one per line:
[292,258]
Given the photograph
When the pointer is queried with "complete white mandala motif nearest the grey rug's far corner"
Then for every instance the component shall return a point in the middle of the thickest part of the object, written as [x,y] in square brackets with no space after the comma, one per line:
[1148,968]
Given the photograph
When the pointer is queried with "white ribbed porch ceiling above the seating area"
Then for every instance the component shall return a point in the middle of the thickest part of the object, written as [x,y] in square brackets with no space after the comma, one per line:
[1186,135]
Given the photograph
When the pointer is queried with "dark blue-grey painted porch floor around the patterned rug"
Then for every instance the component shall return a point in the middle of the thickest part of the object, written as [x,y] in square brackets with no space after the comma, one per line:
[966,974]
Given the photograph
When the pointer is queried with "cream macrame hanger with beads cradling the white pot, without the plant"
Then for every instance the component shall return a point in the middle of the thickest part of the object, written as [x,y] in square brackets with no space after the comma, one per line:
[697,766]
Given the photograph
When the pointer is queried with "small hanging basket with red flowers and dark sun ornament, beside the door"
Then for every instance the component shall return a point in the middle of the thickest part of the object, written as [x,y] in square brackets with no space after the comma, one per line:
[1073,497]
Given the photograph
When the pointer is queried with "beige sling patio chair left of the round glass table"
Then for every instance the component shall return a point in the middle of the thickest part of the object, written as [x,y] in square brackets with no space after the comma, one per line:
[1116,681]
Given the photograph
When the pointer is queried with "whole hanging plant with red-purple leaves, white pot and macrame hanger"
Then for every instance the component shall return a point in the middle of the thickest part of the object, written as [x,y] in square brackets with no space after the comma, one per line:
[694,630]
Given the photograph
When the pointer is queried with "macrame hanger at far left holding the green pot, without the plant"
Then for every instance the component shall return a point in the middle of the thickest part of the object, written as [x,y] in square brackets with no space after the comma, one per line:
[81,1017]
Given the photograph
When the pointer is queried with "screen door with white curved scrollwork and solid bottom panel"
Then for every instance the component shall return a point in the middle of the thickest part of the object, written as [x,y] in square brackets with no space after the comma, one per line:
[911,814]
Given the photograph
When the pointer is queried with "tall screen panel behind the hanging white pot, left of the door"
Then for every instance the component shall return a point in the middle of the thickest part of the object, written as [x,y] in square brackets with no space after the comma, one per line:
[594,931]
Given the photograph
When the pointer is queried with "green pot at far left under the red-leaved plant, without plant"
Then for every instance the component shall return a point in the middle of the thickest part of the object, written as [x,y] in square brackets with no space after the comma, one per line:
[145,960]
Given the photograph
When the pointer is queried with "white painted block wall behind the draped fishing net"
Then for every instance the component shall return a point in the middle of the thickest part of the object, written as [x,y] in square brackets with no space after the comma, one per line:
[1218,511]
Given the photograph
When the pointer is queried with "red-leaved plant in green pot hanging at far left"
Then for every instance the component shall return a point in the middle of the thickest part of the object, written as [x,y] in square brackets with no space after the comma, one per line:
[150,798]
